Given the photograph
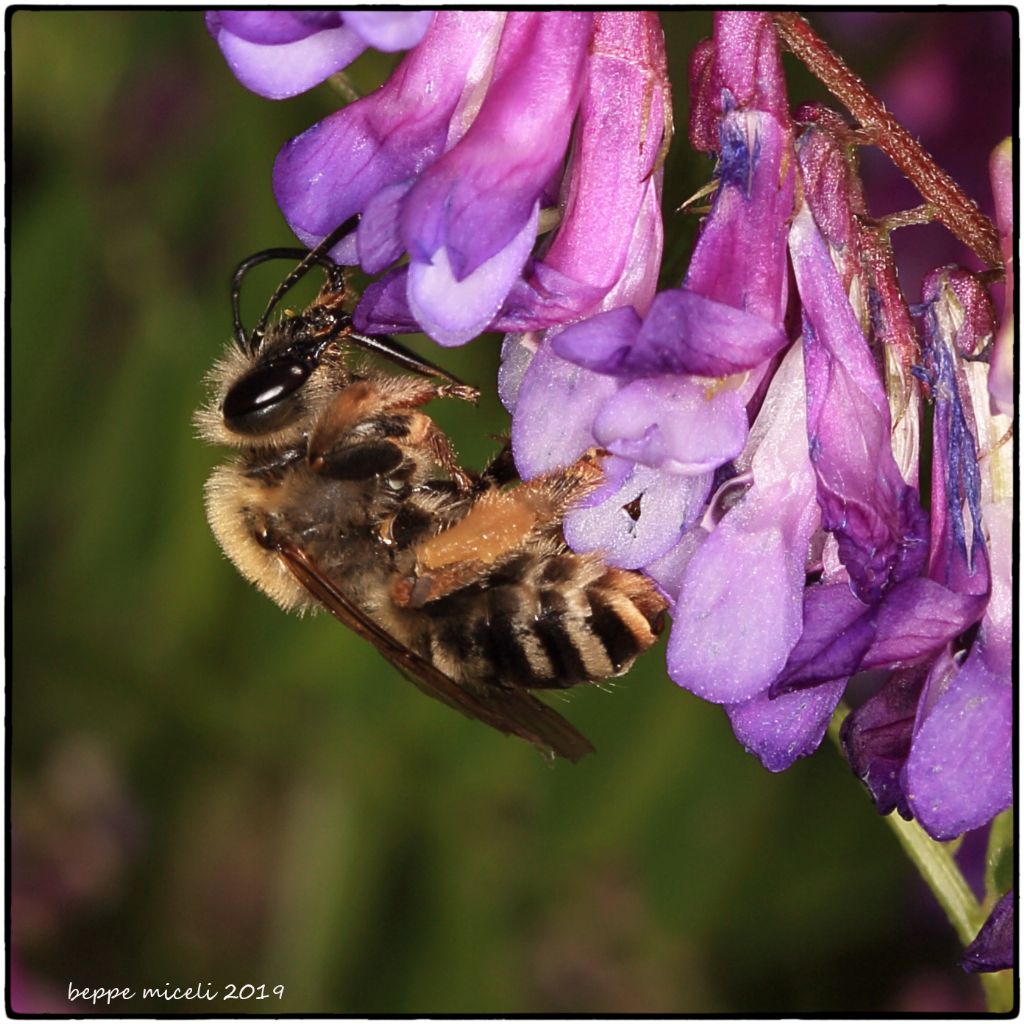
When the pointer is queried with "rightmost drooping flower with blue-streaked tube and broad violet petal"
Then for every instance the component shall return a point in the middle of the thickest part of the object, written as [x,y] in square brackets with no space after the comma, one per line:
[935,743]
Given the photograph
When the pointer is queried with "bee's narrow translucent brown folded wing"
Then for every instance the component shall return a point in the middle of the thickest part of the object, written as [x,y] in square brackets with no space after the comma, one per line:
[510,711]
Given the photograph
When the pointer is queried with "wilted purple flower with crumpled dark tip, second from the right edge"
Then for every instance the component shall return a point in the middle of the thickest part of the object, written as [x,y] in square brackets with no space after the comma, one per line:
[874,609]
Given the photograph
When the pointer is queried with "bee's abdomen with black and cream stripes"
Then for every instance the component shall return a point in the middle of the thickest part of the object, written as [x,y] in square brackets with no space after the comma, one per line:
[546,622]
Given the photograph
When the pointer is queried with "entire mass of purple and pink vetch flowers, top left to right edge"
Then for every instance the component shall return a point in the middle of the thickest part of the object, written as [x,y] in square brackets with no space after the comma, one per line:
[764,421]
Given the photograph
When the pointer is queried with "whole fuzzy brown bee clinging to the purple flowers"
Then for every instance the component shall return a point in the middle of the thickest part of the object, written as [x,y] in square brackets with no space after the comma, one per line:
[344,495]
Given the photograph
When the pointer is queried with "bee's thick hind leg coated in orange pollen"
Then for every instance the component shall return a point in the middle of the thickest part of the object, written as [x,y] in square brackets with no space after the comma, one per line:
[499,525]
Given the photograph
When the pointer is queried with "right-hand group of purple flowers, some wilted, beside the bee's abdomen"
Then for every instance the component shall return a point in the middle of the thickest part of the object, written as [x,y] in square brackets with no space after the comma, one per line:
[766,442]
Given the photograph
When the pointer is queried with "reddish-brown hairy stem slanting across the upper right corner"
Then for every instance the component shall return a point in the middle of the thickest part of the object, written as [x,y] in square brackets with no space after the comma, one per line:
[960,215]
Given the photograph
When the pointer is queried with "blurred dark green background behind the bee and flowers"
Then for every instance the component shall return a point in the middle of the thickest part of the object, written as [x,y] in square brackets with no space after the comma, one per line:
[207,791]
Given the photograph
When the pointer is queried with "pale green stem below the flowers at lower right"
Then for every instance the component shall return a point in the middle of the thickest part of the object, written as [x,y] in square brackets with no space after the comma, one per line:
[938,868]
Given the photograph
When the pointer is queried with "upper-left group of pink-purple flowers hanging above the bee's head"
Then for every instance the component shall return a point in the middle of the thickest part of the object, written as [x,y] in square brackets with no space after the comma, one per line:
[491,124]
